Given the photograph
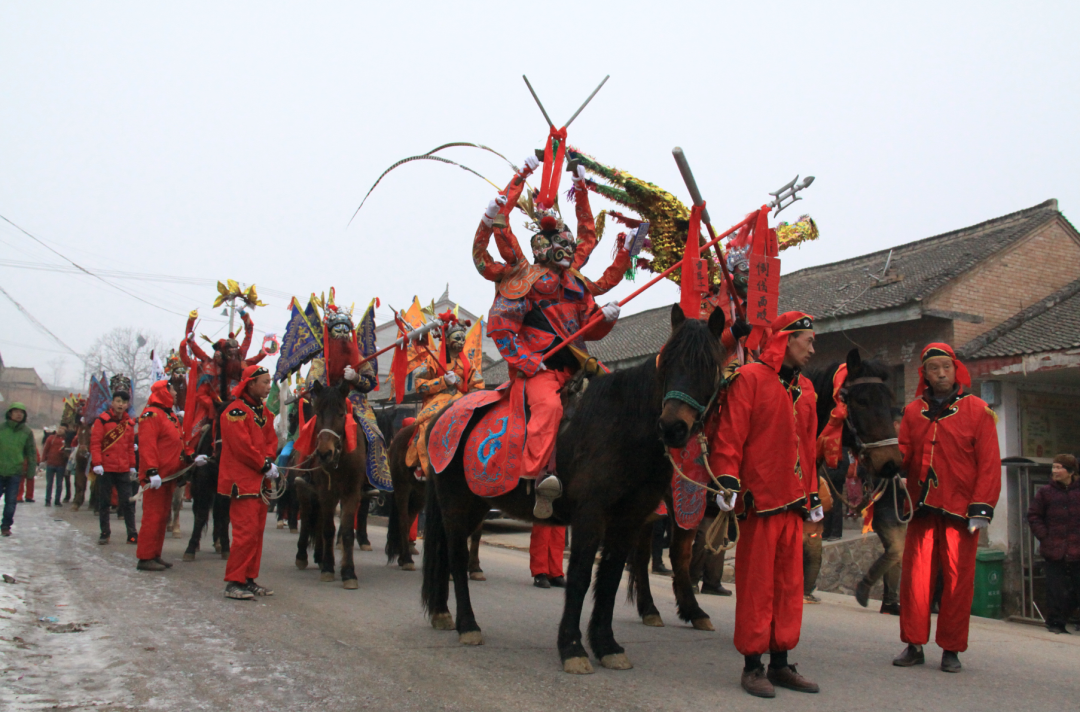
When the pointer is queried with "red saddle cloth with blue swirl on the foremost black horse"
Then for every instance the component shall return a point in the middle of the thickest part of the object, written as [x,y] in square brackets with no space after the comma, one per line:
[494,450]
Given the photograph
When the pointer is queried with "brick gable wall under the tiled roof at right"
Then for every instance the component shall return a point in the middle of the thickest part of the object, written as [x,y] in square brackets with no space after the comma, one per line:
[1003,286]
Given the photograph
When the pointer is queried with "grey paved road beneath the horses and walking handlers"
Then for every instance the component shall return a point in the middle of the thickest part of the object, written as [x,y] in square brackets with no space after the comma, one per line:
[172,642]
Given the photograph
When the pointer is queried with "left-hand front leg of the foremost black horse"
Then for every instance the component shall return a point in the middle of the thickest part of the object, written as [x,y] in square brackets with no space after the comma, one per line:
[584,546]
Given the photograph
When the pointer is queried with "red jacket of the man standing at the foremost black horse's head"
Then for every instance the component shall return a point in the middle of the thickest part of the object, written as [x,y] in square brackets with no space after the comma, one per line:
[766,440]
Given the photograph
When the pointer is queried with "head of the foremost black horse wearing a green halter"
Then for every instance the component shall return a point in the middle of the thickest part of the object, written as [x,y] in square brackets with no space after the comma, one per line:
[690,375]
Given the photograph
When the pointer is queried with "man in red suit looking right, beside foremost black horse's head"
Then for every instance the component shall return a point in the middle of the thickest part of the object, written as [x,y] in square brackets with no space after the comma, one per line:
[765,449]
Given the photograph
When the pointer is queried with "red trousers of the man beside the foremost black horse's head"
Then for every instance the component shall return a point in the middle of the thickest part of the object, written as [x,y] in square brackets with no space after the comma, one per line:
[769,584]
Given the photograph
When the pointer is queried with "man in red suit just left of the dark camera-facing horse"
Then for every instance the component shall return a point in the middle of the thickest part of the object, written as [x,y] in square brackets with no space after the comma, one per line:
[249,446]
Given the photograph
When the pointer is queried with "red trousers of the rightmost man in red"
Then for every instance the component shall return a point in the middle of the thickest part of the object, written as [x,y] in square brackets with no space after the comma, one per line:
[937,544]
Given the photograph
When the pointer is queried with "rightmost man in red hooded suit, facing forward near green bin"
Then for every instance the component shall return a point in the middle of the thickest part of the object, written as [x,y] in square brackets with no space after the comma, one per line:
[950,442]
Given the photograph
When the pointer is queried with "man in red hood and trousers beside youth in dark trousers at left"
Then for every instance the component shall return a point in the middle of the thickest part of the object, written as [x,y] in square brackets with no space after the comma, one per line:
[161,456]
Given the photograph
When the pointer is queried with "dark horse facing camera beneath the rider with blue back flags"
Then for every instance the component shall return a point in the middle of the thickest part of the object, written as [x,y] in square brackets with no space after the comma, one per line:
[340,480]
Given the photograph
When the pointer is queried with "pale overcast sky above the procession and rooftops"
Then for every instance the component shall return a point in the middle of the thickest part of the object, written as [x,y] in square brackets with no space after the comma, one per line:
[214,141]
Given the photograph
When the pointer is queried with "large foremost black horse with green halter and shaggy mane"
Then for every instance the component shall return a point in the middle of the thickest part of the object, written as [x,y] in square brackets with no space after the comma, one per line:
[615,473]
